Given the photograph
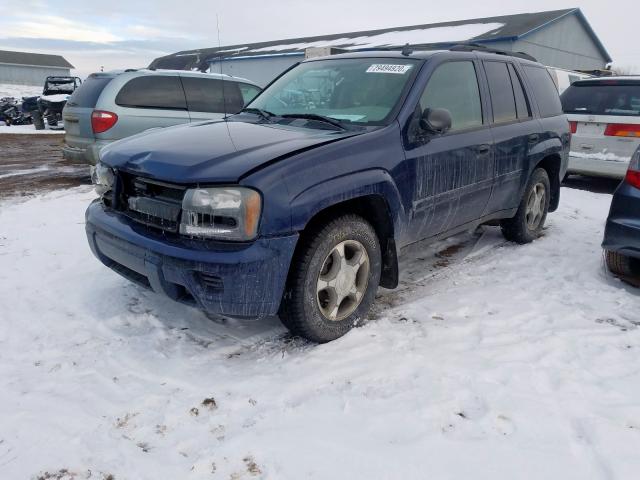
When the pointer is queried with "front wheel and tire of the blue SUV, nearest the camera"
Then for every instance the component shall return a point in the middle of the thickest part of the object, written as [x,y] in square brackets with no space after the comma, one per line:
[308,307]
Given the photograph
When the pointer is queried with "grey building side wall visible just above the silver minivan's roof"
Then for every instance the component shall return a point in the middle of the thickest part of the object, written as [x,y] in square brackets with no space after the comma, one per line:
[260,70]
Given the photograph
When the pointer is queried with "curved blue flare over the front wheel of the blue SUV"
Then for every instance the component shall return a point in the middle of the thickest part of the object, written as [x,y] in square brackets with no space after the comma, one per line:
[311,201]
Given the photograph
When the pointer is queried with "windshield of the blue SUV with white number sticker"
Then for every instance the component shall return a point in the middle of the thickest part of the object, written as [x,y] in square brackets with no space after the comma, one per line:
[359,90]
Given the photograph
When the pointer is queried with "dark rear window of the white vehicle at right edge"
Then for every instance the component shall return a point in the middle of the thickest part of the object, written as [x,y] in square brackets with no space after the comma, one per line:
[602,99]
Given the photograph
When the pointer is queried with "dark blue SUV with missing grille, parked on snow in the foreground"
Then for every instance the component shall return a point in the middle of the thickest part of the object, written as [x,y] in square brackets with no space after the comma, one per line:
[300,204]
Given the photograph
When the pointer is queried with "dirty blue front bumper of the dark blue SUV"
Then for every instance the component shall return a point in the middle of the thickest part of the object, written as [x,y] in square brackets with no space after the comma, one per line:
[236,280]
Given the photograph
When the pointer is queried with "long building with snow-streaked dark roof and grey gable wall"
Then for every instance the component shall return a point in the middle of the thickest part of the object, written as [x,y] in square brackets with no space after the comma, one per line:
[560,38]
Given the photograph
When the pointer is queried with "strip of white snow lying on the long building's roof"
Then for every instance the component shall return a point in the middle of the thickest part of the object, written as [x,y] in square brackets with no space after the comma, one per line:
[418,36]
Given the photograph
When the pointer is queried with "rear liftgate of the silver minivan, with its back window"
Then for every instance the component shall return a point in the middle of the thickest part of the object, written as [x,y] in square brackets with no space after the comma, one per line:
[77,112]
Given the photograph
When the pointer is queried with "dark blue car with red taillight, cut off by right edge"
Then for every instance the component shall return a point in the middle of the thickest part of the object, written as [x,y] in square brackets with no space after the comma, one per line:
[622,232]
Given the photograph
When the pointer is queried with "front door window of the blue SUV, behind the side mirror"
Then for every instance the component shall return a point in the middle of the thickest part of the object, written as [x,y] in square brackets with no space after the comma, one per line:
[454,87]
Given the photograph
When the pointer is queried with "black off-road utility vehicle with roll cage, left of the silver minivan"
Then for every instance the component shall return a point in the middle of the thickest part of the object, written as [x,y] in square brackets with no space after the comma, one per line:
[50,104]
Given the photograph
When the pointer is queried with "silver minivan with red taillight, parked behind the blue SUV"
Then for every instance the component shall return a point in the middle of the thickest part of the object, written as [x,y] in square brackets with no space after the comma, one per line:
[111,106]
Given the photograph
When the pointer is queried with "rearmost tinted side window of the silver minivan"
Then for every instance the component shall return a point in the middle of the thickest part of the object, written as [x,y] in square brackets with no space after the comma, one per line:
[162,92]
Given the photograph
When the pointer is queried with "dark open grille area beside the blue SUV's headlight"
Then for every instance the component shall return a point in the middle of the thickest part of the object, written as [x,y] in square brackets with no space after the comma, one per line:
[151,202]
